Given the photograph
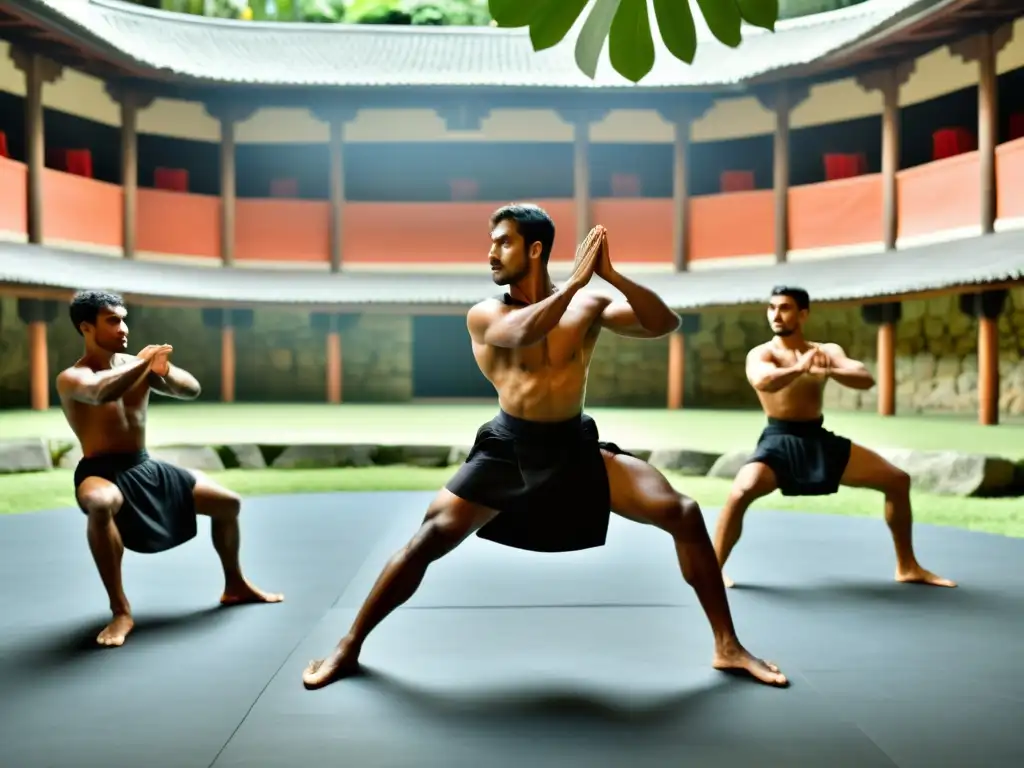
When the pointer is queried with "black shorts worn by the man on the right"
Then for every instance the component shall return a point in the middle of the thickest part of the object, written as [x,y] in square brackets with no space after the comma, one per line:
[807,459]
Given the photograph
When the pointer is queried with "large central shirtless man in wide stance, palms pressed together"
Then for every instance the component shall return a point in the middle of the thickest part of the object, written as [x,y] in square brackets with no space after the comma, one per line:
[538,478]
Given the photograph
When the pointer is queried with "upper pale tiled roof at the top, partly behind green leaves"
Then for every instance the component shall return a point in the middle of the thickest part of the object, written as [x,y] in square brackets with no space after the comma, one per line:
[306,55]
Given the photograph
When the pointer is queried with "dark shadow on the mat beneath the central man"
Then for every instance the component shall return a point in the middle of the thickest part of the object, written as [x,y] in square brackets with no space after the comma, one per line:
[549,704]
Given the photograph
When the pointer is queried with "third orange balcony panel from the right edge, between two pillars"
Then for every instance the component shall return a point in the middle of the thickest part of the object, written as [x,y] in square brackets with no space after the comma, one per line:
[843,212]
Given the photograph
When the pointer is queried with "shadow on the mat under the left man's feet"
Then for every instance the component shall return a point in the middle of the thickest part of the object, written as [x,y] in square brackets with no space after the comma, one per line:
[58,648]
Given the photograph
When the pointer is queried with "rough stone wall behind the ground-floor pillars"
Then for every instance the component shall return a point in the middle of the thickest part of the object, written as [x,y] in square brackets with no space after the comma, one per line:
[282,358]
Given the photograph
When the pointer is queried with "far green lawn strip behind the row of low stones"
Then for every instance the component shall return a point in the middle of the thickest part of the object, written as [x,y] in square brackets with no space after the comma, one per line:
[403,424]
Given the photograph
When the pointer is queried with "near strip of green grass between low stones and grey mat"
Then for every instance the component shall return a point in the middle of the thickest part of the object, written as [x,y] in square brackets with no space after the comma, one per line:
[38,491]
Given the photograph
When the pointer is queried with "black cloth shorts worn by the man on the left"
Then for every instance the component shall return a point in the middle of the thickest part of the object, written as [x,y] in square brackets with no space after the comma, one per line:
[159,510]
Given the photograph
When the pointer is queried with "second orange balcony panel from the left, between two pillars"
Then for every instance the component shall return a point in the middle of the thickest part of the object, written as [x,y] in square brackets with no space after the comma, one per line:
[78,209]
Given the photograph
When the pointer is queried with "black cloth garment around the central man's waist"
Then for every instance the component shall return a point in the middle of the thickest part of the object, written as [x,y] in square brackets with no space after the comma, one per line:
[546,480]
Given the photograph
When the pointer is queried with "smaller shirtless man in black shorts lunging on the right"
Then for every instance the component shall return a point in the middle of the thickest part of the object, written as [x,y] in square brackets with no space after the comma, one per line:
[795,454]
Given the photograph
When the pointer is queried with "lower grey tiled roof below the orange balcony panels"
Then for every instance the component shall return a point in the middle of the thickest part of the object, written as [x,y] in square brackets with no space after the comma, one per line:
[991,260]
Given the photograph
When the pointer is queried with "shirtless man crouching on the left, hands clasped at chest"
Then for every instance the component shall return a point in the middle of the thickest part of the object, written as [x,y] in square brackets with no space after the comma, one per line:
[134,501]
